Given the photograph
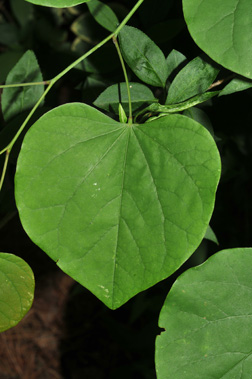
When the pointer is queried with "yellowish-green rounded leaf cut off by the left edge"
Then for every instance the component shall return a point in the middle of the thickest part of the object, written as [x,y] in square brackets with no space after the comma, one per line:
[16,290]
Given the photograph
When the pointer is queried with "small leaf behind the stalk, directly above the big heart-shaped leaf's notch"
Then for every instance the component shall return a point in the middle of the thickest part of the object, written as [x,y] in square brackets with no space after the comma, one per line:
[117,93]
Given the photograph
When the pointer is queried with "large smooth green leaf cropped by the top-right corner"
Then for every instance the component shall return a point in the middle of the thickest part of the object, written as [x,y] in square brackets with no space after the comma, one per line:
[223,29]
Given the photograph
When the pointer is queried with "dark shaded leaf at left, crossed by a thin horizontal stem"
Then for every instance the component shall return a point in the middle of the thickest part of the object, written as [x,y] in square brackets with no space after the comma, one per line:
[18,99]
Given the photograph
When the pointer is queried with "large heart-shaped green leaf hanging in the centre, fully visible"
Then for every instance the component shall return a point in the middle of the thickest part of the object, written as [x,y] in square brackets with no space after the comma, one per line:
[119,207]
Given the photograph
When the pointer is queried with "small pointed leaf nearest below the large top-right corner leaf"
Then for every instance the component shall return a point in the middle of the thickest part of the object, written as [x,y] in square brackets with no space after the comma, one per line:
[194,79]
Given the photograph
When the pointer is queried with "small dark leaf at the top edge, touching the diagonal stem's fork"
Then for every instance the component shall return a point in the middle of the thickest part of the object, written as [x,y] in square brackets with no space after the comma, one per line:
[103,14]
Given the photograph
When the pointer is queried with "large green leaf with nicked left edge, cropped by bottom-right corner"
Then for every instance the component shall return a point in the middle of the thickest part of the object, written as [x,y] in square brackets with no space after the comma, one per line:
[207,321]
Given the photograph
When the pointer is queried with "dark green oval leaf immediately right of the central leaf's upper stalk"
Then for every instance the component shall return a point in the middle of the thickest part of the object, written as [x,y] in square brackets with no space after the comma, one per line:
[143,56]
